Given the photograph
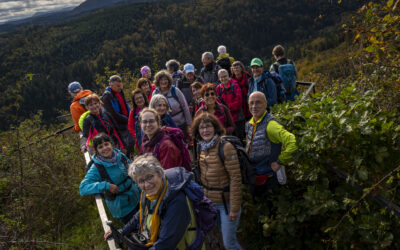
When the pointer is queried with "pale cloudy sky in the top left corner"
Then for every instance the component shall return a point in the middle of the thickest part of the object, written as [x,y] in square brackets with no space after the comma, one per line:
[18,9]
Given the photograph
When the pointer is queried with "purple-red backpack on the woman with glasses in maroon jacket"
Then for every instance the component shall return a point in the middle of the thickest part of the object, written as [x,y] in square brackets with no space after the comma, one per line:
[176,136]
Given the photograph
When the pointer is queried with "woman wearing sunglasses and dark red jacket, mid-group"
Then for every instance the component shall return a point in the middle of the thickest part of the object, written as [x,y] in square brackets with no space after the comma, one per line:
[212,106]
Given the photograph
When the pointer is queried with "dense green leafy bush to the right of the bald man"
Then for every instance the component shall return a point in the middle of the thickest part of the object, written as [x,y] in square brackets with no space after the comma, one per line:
[349,132]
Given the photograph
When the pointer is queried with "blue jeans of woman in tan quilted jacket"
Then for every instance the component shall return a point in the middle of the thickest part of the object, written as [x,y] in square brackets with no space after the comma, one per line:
[228,228]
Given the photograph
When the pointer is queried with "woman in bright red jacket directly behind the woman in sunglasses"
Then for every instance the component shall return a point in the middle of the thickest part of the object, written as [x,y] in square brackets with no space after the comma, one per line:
[229,91]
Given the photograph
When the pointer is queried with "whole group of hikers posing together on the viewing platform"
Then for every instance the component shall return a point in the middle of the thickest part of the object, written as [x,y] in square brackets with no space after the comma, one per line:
[140,154]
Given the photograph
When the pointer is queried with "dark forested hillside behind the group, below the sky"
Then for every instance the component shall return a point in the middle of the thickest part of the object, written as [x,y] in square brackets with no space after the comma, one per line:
[37,63]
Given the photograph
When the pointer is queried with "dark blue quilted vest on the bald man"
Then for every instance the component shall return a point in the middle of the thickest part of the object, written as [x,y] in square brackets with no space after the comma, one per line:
[261,150]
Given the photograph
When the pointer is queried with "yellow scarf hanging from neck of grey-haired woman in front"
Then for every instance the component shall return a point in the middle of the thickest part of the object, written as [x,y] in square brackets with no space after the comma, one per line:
[155,219]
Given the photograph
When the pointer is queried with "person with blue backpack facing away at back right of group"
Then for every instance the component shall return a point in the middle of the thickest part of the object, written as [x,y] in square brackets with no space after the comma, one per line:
[288,71]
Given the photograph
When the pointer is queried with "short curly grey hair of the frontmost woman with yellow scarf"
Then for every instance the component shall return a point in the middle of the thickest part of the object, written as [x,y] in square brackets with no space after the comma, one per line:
[143,164]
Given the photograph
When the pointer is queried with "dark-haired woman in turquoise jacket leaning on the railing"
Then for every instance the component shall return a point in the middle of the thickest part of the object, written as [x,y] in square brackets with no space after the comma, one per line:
[120,192]
